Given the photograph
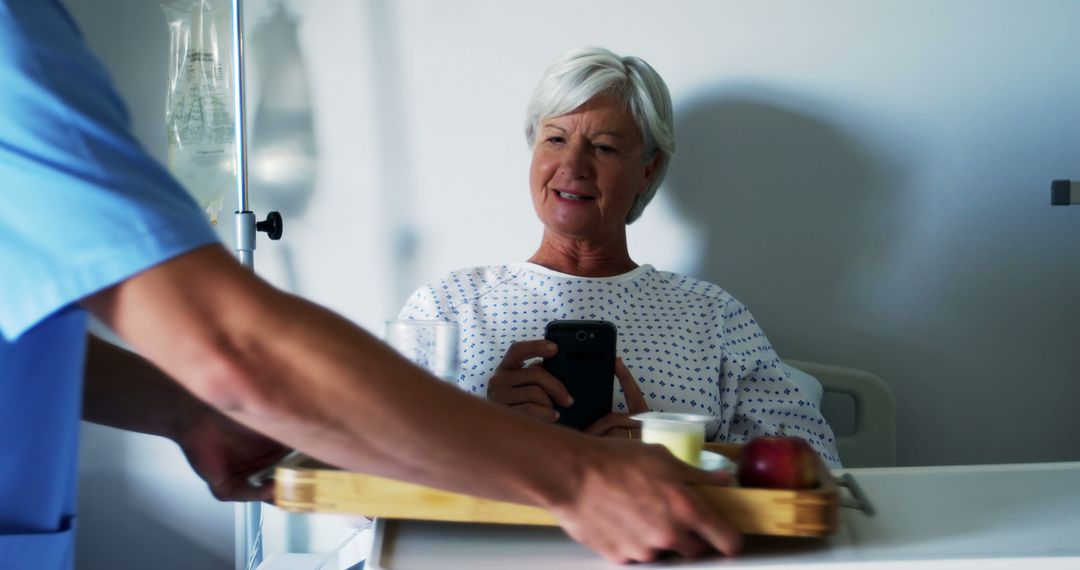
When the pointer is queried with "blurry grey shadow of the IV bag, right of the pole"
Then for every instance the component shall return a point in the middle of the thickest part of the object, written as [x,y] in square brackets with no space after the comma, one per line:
[283,155]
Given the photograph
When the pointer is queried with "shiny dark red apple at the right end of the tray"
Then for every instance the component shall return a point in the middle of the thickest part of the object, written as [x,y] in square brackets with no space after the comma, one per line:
[778,464]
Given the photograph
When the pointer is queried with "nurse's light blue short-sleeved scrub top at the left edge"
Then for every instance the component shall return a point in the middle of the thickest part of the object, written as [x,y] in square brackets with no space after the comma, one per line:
[83,208]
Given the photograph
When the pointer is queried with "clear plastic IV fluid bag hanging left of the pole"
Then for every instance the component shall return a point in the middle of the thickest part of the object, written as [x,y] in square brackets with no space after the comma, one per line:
[198,117]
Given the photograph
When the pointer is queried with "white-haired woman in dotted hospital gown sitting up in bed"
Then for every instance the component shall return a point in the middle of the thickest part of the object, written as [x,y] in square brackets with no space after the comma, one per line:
[601,131]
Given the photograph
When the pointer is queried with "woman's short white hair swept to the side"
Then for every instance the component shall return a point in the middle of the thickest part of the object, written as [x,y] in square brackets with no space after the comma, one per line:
[582,75]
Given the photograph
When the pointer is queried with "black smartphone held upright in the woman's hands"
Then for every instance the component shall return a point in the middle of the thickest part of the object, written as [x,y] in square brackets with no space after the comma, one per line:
[586,365]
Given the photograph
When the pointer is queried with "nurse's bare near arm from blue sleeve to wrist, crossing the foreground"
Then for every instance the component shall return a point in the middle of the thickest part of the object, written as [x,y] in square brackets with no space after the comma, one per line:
[308,377]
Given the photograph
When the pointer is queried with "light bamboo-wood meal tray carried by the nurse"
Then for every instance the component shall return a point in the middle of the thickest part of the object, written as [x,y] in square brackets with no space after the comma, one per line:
[306,486]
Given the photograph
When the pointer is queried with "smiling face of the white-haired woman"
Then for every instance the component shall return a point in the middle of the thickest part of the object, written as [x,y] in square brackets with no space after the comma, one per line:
[588,169]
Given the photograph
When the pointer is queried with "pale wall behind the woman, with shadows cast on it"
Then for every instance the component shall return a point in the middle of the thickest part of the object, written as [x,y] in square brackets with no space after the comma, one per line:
[871,179]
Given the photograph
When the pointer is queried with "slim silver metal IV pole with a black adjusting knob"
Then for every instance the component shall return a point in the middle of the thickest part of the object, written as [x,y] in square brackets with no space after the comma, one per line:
[250,514]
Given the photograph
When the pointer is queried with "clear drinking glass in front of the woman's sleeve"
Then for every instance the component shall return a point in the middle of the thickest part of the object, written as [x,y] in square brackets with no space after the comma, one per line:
[431,345]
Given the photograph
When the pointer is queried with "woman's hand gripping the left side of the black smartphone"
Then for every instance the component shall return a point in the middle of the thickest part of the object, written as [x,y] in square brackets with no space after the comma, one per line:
[529,389]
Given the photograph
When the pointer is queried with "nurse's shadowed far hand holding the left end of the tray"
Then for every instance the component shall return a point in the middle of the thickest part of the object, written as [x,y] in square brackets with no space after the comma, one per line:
[224,454]
